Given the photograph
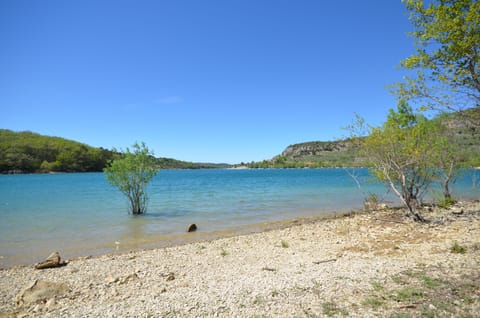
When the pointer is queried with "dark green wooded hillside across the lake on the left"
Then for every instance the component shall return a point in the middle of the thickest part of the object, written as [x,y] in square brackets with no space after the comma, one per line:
[28,152]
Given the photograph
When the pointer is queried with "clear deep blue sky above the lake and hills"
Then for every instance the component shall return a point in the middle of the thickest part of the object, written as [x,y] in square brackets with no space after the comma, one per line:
[199,80]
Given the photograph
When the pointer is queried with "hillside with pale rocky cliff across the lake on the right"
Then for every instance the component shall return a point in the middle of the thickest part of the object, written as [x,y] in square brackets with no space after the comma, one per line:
[343,153]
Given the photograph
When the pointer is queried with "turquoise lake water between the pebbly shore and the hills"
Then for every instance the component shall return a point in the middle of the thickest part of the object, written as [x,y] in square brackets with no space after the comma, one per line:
[81,214]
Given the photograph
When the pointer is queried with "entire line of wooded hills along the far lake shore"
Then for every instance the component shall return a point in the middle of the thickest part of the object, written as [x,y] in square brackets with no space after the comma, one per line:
[28,152]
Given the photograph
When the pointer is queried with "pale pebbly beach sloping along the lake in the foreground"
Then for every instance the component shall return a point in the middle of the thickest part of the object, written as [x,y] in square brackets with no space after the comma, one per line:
[374,264]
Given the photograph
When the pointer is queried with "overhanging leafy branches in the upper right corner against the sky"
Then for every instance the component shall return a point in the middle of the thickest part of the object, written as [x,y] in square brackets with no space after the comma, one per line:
[447,61]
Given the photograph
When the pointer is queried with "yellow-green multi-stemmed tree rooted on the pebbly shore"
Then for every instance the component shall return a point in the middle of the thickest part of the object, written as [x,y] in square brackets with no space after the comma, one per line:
[400,153]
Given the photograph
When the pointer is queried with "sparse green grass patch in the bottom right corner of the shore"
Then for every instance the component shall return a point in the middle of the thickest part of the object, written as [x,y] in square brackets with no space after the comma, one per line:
[422,293]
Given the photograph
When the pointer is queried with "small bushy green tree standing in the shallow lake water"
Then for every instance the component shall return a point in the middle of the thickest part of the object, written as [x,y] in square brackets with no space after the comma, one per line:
[131,174]
